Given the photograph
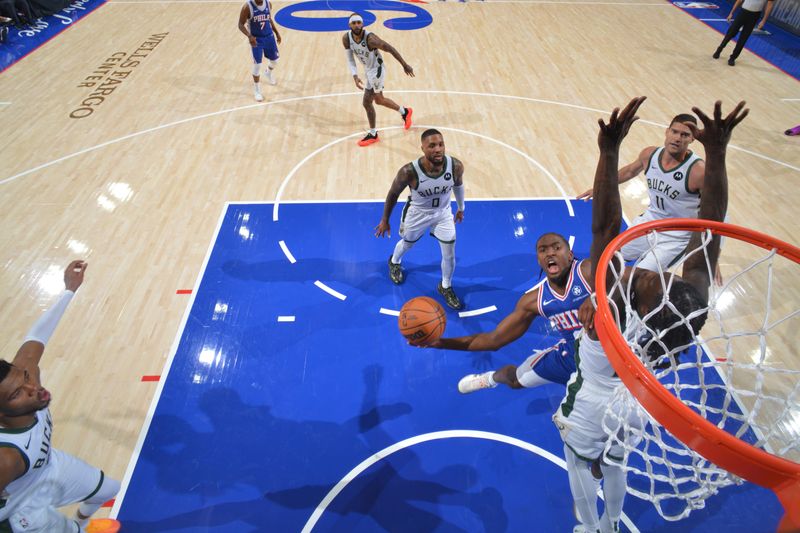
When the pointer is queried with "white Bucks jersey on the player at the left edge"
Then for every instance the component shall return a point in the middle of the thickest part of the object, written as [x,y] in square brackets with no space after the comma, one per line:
[33,443]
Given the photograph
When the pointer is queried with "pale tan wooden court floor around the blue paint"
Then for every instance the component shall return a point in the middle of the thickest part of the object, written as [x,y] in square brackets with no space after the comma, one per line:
[137,186]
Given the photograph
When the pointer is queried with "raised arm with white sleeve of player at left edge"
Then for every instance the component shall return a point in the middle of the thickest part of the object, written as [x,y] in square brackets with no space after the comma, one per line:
[30,353]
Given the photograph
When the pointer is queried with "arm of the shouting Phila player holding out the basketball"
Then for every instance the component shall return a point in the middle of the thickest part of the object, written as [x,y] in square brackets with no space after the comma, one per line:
[507,331]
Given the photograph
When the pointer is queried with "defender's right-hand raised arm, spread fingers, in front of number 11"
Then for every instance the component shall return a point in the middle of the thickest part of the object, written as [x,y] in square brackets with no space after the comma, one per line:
[714,136]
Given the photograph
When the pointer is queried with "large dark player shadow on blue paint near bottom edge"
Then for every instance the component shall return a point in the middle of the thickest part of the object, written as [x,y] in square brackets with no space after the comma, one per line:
[228,461]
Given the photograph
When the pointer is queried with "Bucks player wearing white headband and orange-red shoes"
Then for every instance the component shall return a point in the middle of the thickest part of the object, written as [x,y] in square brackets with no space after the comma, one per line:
[367,46]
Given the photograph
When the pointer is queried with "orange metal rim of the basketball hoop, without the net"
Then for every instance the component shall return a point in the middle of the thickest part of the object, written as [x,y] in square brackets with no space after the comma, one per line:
[723,449]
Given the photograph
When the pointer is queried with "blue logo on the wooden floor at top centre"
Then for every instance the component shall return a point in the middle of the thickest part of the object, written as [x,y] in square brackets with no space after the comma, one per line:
[292,16]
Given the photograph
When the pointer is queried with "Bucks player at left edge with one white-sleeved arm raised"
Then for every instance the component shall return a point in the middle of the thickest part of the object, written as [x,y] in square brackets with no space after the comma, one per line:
[35,478]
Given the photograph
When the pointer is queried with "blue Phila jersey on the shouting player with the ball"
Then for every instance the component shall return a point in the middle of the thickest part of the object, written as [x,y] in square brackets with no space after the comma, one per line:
[562,311]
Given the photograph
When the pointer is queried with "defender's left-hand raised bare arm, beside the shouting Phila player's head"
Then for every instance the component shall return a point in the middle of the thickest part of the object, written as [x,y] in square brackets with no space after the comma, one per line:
[607,208]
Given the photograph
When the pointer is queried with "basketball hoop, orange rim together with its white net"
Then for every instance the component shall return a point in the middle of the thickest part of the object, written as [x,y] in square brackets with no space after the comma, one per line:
[704,403]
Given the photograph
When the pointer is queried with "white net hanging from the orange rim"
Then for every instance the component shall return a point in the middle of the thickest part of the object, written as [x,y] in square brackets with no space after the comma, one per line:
[740,373]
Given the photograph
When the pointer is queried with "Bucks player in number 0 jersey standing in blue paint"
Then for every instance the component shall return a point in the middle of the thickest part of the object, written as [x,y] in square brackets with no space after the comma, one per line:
[430,179]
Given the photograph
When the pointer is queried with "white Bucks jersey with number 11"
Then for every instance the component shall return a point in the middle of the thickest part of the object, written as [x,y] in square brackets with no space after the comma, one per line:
[669,190]
